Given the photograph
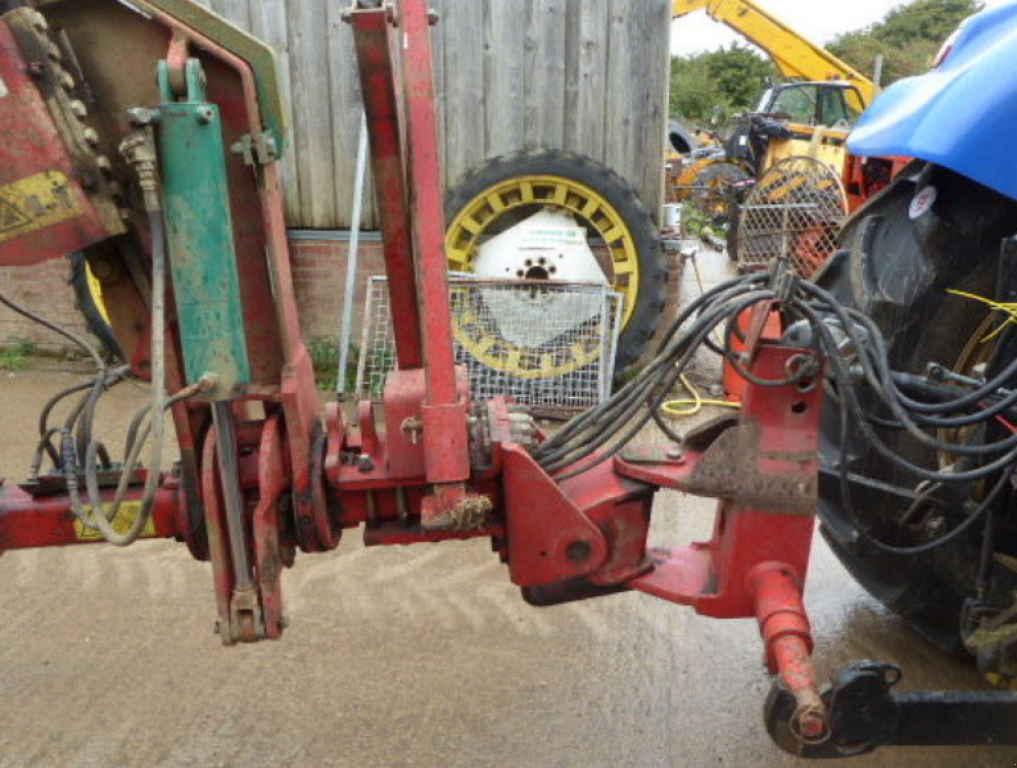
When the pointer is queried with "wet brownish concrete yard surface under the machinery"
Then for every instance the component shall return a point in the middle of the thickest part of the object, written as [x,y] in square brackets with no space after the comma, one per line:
[423,657]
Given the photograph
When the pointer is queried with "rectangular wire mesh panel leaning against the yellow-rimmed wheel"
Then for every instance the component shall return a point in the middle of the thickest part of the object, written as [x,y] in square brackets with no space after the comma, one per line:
[549,345]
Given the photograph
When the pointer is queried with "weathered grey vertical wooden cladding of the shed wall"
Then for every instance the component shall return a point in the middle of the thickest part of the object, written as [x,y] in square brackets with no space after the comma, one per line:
[586,76]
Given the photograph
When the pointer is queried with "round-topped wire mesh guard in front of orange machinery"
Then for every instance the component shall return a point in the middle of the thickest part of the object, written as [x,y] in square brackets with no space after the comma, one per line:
[795,212]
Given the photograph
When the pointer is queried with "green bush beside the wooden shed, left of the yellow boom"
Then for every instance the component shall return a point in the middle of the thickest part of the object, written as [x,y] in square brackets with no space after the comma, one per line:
[731,80]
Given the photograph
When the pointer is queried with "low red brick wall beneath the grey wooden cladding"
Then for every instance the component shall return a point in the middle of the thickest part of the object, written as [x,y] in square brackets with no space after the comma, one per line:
[319,274]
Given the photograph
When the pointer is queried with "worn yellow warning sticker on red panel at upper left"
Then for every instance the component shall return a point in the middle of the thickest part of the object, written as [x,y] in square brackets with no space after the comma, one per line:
[35,203]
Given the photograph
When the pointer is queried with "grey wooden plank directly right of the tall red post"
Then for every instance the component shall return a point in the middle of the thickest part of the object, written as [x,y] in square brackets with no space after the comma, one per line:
[465,99]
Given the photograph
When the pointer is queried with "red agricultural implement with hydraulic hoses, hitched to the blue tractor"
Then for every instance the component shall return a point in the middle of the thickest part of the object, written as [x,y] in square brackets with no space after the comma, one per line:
[147,134]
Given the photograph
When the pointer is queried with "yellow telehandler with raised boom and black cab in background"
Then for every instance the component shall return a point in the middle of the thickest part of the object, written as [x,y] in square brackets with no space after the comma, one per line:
[810,114]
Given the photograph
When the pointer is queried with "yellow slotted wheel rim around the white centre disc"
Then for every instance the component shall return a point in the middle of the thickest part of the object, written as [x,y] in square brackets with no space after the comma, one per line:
[477,219]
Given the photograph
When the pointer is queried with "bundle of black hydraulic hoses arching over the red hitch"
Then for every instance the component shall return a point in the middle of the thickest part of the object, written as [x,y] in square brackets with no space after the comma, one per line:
[601,434]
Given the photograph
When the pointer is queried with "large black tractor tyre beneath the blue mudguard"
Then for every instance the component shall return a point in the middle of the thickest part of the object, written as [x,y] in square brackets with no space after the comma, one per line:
[898,270]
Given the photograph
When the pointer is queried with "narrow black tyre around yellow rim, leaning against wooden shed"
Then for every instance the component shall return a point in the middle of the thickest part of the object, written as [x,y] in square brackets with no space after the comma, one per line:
[652,290]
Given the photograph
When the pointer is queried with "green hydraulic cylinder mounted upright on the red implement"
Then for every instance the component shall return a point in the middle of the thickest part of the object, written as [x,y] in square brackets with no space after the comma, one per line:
[200,237]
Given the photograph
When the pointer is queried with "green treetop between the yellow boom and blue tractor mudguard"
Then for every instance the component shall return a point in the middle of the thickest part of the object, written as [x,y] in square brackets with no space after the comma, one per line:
[909,38]
